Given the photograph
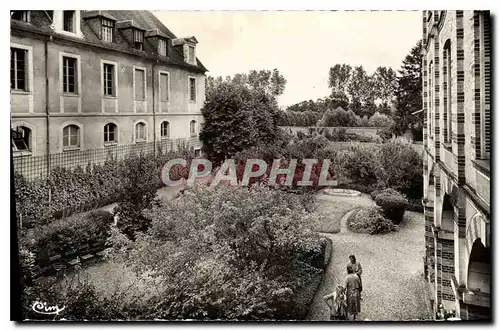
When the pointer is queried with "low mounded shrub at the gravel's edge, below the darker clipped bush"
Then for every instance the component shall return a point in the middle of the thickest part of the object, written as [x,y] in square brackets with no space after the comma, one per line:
[370,220]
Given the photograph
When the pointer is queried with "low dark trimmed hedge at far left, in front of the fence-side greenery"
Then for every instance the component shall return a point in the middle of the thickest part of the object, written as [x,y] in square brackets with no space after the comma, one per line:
[63,240]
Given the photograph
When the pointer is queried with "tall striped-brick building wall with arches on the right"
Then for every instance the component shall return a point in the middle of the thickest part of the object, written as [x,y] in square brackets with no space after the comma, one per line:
[456,59]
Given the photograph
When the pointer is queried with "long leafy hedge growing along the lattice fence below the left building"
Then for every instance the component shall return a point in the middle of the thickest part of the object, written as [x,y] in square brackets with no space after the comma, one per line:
[96,186]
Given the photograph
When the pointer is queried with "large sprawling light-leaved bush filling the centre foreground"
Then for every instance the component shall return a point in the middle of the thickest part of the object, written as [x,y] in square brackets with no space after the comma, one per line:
[226,253]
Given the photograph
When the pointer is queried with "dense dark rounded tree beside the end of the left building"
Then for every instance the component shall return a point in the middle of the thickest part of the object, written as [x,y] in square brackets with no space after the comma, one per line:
[240,112]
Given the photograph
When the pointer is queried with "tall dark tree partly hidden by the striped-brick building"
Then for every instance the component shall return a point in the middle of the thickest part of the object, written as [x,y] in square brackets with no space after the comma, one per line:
[409,91]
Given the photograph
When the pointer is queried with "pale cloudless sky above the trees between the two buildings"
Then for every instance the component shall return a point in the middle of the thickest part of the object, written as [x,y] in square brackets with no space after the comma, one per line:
[302,45]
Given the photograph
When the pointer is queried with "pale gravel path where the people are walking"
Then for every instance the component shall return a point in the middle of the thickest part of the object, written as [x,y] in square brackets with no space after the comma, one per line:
[393,285]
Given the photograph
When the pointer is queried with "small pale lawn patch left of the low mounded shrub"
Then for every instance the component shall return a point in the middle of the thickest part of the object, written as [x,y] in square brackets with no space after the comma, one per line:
[334,208]
